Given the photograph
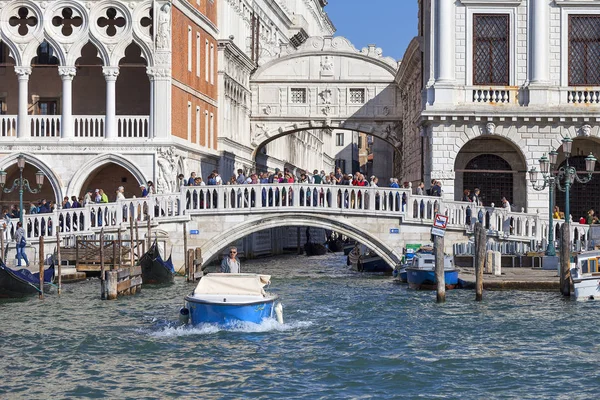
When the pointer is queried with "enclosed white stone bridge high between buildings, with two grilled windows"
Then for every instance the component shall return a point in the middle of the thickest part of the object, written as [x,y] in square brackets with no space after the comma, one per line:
[326,83]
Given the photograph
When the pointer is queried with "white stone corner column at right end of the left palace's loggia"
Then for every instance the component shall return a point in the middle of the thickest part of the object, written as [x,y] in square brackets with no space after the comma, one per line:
[160,97]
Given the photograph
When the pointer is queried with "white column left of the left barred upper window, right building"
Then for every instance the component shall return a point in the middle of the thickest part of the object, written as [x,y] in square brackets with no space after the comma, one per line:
[445,43]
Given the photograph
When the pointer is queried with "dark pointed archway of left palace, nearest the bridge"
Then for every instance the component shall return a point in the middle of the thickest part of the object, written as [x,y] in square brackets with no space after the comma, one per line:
[109,177]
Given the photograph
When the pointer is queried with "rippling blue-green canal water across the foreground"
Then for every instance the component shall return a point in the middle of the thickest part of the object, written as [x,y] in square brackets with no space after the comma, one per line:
[345,336]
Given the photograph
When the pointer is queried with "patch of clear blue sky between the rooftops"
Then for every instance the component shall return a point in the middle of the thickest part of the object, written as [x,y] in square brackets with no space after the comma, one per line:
[390,24]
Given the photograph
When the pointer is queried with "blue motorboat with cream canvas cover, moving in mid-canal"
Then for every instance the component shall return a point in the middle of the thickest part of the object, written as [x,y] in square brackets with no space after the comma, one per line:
[229,298]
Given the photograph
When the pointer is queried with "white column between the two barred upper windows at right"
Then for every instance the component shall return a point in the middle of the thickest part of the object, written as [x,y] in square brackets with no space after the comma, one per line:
[539,41]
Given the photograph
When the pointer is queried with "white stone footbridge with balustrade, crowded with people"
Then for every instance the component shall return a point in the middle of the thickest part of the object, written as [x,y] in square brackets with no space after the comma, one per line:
[384,219]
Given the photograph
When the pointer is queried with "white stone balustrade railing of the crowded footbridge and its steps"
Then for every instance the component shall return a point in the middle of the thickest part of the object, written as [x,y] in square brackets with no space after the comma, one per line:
[287,198]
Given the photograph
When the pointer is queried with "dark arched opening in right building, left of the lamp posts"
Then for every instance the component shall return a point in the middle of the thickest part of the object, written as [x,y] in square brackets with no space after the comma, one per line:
[492,175]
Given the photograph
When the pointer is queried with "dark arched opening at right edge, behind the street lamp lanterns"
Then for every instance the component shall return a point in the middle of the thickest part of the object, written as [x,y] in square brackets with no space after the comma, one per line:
[583,197]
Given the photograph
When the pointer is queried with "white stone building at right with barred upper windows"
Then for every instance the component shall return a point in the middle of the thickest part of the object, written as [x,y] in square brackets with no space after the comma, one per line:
[502,82]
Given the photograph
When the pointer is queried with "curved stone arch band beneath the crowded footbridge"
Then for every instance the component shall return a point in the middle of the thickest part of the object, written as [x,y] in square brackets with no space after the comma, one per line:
[214,247]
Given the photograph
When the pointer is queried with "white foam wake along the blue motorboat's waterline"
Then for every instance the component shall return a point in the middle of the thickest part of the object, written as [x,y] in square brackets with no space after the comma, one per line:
[267,325]
